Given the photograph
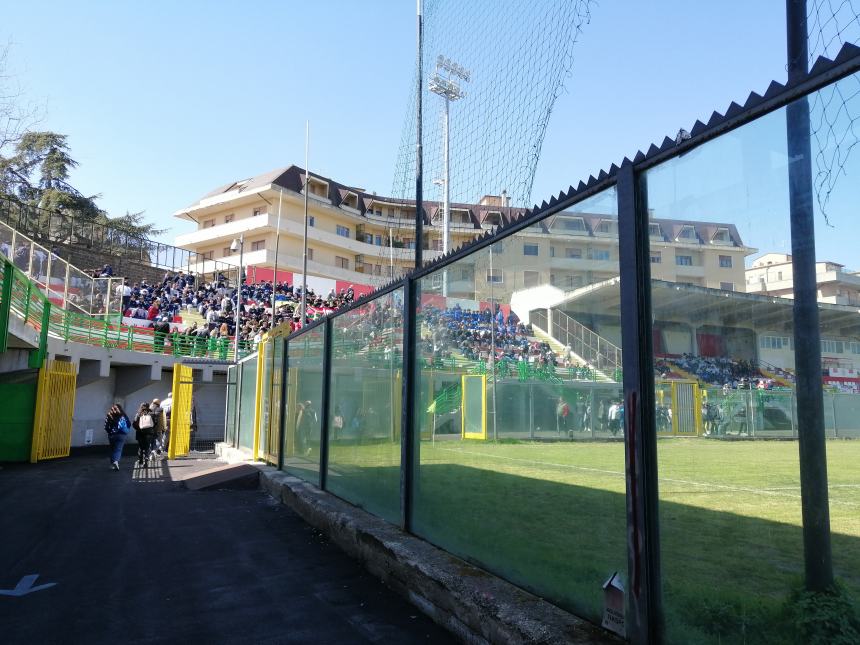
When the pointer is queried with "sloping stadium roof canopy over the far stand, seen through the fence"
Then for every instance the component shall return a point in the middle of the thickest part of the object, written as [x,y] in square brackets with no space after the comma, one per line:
[691,304]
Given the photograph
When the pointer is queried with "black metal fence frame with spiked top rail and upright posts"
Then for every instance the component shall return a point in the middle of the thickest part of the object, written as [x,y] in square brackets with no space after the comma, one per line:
[644,614]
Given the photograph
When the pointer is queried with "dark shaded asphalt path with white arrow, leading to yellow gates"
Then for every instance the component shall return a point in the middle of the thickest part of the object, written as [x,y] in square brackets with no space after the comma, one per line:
[137,558]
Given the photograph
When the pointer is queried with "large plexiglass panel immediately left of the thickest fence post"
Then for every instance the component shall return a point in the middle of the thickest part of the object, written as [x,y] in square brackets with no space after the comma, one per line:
[521,453]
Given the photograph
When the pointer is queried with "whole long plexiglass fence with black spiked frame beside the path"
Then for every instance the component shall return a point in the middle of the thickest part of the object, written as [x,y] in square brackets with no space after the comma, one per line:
[552,488]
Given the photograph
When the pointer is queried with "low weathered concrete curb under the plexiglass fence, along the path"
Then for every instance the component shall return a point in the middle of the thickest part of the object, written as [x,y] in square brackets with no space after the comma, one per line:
[476,606]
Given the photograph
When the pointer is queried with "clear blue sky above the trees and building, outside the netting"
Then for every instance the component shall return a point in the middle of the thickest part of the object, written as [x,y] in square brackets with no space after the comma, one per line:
[163,101]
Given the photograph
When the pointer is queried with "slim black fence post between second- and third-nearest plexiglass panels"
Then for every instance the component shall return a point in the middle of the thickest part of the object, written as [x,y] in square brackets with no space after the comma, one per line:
[408,443]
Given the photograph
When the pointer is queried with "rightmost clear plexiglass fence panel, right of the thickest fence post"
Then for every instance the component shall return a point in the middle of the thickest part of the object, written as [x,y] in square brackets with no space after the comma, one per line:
[722,296]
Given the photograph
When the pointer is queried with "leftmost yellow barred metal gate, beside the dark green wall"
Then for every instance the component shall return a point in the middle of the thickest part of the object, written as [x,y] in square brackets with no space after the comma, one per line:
[55,405]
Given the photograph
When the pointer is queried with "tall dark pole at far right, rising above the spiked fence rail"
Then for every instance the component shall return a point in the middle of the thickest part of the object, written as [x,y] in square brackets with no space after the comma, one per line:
[807,335]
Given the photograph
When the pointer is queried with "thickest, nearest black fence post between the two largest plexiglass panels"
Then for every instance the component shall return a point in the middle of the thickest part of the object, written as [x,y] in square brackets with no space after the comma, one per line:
[644,597]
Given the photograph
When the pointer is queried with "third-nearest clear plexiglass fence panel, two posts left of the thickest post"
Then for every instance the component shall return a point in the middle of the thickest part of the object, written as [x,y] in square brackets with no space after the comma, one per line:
[365,412]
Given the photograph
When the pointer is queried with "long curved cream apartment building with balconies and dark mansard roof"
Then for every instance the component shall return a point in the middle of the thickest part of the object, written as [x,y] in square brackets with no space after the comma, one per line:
[361,238]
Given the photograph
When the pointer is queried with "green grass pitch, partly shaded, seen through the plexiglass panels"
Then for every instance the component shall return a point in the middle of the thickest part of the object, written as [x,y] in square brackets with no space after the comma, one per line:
[551,518]
